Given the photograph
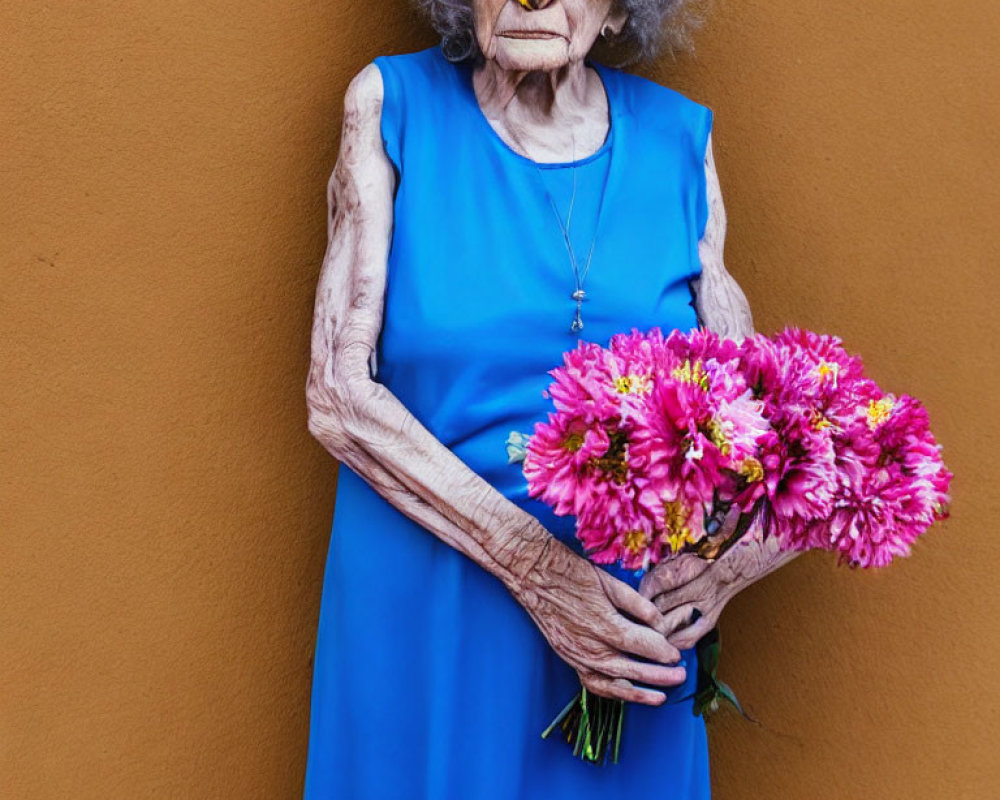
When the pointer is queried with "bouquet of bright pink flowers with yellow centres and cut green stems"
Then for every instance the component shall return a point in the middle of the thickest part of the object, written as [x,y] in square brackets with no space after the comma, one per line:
[653,437]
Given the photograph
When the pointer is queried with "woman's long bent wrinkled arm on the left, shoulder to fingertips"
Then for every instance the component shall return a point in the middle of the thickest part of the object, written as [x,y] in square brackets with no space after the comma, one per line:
[364,425]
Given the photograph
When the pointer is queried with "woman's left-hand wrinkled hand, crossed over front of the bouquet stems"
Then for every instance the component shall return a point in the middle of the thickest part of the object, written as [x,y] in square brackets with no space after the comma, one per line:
[578,608]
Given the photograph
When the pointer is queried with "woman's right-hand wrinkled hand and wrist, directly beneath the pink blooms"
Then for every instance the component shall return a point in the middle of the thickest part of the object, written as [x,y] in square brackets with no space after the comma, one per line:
[691,595]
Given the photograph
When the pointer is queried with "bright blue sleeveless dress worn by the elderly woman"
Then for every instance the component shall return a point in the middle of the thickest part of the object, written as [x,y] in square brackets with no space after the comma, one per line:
[430,681]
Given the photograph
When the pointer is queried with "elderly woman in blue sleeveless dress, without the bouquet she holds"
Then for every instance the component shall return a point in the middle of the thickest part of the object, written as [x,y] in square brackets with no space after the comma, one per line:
[496,199]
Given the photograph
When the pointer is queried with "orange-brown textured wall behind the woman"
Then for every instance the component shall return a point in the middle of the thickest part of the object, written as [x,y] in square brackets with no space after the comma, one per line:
[165,513]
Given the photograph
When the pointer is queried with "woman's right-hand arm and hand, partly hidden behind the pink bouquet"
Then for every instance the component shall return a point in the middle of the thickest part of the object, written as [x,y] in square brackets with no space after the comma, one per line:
[681,585]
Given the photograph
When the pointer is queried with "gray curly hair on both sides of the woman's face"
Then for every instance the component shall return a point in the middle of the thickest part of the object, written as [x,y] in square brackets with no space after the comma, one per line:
[652,25]
